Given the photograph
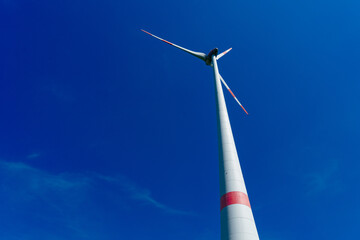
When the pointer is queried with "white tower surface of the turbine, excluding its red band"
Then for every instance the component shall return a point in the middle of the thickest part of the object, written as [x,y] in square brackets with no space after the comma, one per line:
[237,221]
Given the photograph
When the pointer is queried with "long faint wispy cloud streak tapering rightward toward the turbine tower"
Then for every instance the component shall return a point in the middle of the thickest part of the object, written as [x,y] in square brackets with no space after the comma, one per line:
[36,183]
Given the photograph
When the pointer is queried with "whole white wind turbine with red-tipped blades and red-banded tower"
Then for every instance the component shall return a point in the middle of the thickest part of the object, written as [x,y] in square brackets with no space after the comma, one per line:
[237,220]
